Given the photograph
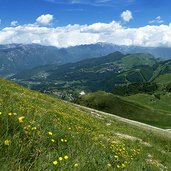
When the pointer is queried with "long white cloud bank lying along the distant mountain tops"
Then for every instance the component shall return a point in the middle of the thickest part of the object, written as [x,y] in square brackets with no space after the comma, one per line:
[72,35]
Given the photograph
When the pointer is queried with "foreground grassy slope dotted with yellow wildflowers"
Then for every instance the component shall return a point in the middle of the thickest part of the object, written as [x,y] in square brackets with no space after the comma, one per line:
[38,132]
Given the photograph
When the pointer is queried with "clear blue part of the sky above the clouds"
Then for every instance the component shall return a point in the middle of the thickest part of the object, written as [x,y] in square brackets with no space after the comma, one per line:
[84,11]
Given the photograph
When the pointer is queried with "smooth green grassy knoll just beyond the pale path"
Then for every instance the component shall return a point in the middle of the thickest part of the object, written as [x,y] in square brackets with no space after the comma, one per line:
[121,107]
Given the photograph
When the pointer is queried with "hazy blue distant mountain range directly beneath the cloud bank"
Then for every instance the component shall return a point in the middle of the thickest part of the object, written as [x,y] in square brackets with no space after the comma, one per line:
[18,57]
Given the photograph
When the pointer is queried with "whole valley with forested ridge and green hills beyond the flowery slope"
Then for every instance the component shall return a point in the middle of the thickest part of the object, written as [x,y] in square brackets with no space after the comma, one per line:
[133,79]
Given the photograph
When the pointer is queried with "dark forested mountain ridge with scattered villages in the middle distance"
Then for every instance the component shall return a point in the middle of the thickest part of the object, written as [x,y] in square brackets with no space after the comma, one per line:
[92,74]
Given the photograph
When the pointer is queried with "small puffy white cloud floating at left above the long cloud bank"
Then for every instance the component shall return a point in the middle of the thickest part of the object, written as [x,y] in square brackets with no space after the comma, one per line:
[44,20]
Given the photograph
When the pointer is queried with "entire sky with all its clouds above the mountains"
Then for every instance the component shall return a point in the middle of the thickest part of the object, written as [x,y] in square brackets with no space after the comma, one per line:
[64,23]
